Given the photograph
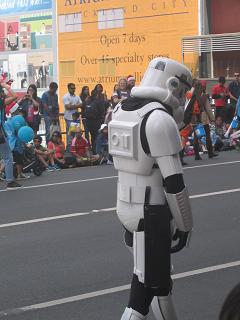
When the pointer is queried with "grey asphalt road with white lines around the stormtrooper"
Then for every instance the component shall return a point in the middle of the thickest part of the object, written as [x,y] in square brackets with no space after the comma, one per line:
[43,262]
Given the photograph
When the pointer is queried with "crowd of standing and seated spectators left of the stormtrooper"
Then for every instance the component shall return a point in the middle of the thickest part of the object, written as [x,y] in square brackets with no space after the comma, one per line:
[86,117]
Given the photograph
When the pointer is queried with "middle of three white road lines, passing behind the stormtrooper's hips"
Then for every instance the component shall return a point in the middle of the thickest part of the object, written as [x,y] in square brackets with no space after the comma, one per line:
[78,214]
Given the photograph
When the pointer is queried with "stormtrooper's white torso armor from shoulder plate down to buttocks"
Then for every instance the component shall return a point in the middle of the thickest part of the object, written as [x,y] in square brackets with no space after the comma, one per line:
[135,167]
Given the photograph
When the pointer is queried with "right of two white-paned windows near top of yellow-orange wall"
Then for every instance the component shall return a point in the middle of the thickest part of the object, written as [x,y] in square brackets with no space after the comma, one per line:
[111,18]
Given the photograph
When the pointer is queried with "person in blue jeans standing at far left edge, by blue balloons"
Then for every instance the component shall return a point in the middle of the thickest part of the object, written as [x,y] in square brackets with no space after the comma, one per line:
[7,96]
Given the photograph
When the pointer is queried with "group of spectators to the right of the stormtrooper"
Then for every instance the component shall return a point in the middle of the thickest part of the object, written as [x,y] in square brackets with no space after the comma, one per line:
[211,129]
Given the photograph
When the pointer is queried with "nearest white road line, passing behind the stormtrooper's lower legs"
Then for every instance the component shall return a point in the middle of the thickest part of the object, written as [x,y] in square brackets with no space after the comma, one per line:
[95,294]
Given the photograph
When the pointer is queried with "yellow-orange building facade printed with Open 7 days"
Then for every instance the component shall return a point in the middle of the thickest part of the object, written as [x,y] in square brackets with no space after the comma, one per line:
[102,41]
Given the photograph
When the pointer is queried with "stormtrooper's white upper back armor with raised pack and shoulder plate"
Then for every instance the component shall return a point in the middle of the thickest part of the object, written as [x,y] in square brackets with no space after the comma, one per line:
[125,143]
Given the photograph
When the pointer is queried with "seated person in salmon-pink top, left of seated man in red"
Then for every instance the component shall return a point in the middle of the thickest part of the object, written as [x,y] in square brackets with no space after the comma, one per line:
[57,145]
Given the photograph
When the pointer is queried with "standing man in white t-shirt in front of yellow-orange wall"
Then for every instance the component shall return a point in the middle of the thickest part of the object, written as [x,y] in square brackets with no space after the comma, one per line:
[71,104]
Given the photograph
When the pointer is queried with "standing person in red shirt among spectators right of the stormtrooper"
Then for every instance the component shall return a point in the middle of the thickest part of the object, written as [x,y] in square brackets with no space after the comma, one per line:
[220,94]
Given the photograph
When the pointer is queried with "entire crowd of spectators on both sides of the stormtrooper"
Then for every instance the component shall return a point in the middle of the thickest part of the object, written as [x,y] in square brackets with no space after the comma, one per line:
[87,114]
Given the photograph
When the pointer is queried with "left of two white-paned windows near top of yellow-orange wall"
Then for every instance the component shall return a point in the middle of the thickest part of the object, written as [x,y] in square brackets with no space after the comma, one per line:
[70,22]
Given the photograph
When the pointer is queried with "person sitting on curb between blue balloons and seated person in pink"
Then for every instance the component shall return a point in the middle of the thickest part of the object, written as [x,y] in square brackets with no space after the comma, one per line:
[43,154]
